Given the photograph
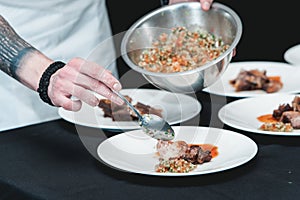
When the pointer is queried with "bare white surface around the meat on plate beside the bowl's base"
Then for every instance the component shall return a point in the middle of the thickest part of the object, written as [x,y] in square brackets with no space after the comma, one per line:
[289,77]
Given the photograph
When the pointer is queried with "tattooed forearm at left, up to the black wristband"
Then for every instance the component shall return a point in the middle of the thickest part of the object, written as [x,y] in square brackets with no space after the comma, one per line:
[19,59]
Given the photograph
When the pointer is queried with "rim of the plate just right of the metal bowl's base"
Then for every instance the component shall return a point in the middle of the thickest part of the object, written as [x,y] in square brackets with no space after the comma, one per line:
[249,93]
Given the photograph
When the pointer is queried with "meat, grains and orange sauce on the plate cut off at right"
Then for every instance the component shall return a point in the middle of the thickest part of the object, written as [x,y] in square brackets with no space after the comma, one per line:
[285,118]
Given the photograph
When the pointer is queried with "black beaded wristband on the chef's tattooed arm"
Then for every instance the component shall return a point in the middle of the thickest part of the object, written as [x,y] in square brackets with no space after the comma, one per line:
[45,80]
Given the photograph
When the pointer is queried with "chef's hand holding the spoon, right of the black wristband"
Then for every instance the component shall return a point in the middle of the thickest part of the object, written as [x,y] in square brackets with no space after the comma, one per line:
[81,79]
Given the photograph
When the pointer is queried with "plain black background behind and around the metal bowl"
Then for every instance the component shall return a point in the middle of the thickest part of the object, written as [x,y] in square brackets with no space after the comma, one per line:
[267,30]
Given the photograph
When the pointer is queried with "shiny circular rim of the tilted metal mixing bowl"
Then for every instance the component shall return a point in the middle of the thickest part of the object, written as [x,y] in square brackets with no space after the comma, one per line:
[201,68]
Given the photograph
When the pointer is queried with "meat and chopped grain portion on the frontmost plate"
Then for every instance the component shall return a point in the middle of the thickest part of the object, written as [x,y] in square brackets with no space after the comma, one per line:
[181,157]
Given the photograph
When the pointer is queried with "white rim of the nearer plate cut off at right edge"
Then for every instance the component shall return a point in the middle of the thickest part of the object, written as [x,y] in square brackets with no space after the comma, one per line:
[256,131]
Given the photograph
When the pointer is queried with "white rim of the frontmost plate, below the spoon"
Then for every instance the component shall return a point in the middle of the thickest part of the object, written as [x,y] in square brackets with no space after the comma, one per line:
[251,142]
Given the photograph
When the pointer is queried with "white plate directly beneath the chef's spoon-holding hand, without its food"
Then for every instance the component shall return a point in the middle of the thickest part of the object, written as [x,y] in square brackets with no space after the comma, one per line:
[176,108]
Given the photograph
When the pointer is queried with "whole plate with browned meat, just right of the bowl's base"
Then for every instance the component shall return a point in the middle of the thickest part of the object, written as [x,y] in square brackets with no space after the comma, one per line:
[281,74]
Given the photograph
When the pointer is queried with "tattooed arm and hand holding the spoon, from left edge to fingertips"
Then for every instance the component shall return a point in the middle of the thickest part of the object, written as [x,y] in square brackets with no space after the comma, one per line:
[77,78]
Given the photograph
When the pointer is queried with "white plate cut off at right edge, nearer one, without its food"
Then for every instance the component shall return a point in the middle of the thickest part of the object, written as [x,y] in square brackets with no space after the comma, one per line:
[242,114]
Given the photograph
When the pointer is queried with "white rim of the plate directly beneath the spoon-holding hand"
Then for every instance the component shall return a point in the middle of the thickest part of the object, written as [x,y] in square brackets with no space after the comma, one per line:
[197,108]
